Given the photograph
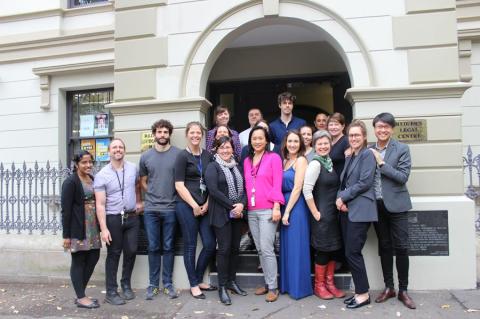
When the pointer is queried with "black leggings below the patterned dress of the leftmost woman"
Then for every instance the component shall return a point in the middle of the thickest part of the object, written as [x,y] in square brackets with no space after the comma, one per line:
[81,269]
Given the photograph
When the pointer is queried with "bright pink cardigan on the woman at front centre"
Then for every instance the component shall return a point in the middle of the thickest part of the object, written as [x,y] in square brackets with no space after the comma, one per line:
[268,184]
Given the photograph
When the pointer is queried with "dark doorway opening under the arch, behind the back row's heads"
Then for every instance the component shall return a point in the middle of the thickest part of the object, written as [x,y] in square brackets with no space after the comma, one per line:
[314,94]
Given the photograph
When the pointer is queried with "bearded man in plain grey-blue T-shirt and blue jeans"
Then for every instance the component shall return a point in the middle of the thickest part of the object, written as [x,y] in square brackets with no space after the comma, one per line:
[157,178]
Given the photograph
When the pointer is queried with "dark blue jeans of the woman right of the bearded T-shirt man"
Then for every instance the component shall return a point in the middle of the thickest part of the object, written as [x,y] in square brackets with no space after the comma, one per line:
[191,226]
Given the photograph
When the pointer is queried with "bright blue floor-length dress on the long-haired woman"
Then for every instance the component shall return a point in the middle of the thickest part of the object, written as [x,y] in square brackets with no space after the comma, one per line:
[295,245]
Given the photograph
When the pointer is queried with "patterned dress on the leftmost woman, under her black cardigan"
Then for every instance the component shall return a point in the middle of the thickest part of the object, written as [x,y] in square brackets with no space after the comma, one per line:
[92,232]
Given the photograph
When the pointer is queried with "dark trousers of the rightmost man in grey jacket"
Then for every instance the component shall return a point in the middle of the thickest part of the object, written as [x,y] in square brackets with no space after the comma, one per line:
[392,233]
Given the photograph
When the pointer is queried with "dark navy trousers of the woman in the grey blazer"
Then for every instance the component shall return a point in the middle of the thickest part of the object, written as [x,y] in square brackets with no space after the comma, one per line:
[354,237]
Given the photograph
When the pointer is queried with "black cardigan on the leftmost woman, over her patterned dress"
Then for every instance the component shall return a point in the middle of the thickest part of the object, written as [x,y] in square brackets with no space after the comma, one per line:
[73,208]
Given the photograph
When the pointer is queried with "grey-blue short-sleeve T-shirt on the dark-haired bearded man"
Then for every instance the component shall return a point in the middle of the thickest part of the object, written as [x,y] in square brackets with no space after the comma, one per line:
[159,167]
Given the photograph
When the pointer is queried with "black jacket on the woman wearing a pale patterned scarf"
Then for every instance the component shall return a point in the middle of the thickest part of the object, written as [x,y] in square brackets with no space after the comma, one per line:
[219,205]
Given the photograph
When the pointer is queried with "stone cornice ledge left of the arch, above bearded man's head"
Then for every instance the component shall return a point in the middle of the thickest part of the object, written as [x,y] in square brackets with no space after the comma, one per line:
[153,106]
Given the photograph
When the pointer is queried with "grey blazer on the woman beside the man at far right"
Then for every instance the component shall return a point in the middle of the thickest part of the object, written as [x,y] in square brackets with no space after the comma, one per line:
[359,192]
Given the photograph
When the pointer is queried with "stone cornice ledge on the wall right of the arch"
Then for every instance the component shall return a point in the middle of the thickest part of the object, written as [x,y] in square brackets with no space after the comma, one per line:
[412,92]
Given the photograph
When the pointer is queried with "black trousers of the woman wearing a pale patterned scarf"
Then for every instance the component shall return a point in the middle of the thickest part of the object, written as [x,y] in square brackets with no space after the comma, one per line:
[228,238]
